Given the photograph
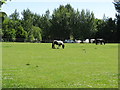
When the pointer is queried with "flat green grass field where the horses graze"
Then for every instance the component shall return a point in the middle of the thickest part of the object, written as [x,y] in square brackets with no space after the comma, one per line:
[76,66]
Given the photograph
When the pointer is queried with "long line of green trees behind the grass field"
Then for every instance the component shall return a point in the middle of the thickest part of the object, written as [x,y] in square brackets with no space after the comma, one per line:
[64,23]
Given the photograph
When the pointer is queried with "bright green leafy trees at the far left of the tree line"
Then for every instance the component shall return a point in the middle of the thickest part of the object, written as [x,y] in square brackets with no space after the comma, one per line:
[13,26]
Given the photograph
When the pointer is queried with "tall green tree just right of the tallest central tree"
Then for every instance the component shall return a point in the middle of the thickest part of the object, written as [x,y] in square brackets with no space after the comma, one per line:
[86,25]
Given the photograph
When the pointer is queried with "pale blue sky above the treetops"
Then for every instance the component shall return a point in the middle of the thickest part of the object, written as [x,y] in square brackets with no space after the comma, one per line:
[99,7]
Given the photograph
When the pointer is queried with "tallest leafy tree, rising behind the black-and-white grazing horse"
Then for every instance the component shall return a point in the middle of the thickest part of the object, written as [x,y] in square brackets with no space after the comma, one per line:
[61,22]
